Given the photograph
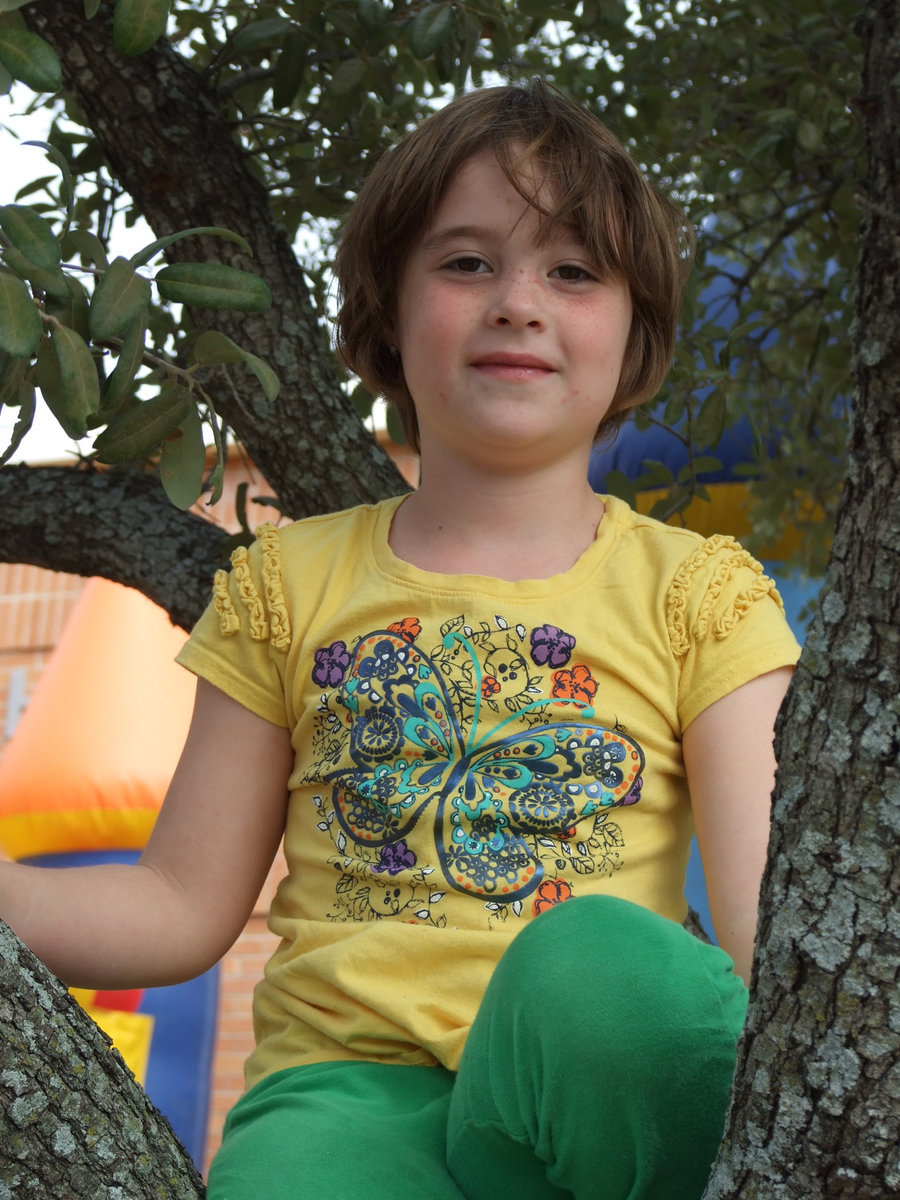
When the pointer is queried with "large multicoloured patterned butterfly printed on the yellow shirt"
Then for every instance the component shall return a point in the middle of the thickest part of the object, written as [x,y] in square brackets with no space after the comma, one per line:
[490,799]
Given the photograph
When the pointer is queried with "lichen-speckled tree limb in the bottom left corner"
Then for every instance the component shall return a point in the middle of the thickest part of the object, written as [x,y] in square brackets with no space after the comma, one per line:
[76,1126]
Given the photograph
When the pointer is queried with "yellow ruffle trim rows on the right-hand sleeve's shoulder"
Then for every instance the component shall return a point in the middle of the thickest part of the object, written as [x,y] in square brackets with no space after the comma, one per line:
[715,616]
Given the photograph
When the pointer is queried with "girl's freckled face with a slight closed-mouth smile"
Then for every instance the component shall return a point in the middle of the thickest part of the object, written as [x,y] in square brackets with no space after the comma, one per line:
[512,350]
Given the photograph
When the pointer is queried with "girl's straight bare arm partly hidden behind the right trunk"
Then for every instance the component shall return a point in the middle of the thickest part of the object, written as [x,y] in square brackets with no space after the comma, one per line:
[730,761]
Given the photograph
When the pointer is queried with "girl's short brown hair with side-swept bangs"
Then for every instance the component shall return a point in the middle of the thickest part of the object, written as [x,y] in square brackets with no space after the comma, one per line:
[627,226]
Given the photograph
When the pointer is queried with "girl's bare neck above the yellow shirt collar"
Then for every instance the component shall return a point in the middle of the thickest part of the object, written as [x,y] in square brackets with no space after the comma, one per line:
[511,527]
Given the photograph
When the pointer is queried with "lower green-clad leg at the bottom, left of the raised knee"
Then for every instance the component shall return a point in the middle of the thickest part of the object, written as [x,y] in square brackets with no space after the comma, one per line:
[339,1131]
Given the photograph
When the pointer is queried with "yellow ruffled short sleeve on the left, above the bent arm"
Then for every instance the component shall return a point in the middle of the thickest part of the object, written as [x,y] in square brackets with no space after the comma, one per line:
[241,643]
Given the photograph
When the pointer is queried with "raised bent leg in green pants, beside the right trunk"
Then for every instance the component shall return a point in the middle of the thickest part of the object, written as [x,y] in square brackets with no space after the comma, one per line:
[601,1063]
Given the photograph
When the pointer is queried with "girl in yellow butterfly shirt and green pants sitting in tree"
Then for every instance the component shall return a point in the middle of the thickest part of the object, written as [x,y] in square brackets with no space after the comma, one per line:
[500,699]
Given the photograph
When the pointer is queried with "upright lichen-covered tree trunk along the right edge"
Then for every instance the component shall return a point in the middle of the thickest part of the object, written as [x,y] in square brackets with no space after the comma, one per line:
[817,1103]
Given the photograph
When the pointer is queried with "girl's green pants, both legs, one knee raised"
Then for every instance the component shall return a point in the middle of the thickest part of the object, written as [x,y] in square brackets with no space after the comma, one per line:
[598,1067]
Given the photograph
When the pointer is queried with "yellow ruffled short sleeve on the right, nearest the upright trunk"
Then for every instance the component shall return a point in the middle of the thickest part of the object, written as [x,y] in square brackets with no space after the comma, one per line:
[727,625]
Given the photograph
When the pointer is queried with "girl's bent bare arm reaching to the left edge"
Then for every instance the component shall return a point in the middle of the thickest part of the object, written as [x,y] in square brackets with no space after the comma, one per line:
[177,911]
